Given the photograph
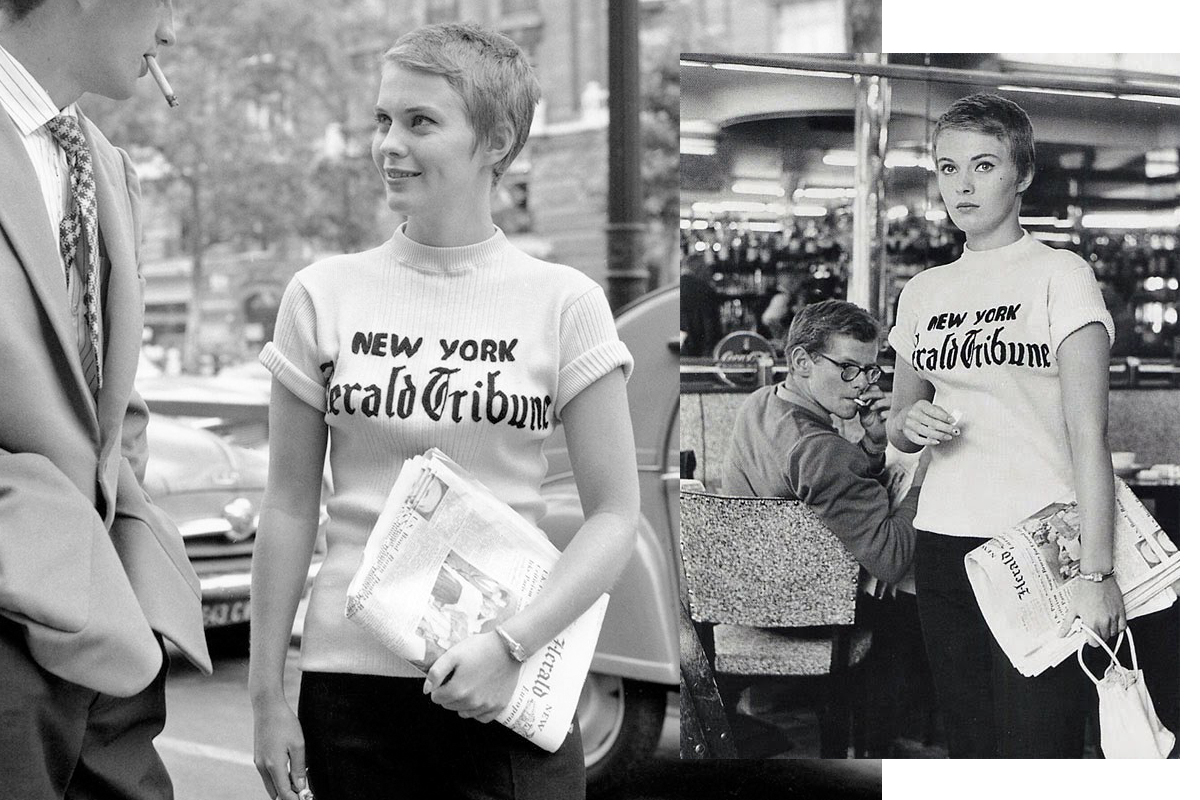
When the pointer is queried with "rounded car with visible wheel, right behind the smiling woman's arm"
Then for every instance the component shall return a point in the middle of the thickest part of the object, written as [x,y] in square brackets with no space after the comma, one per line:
[637,667]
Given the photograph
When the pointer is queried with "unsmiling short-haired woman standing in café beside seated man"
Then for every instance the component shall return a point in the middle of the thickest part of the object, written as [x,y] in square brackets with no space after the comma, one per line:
[1003,371]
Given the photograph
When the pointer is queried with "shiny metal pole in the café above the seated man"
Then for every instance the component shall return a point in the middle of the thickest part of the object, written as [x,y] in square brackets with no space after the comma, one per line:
[873,97]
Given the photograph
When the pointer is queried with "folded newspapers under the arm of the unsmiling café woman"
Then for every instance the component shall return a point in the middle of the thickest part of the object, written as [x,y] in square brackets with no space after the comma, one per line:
[1025,579]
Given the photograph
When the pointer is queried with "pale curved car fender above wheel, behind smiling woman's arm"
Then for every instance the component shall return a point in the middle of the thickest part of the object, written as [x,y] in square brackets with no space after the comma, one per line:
[639,639]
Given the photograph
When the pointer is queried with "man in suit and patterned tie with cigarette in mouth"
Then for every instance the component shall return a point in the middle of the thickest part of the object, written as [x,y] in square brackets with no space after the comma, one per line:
[93,576]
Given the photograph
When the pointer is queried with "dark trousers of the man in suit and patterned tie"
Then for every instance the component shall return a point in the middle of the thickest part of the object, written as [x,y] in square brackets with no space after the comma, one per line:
[61,741]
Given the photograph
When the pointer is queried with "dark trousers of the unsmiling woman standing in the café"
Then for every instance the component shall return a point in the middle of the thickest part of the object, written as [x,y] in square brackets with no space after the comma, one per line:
[988,708]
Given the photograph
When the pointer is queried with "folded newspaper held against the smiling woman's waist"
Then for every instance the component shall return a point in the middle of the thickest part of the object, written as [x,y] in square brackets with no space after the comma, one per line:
[447,561]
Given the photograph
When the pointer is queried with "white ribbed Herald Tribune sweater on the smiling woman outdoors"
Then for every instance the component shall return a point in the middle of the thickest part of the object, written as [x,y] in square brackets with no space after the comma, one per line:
[473,350]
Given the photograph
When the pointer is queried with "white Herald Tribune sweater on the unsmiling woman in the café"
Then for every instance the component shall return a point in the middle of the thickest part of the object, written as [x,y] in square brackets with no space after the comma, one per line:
[986,332]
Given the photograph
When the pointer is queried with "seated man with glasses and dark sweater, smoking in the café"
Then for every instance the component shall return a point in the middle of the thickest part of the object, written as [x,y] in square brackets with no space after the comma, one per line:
[785,446]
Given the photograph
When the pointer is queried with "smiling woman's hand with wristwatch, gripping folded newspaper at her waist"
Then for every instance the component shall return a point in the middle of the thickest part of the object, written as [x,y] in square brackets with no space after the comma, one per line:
[476,678]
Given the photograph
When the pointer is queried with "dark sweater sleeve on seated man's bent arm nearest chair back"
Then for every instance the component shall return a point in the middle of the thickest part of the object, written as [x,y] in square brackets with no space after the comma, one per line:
[835,479]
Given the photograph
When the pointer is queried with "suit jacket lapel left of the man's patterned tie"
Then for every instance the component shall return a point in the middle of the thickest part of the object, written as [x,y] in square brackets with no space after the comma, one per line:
[25,222]
